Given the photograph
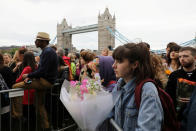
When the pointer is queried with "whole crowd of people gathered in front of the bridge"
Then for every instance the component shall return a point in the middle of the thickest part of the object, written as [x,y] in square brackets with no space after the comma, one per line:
[122,69]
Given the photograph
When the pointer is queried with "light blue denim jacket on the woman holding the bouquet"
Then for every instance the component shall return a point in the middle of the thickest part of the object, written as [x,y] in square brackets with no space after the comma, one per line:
[150,114]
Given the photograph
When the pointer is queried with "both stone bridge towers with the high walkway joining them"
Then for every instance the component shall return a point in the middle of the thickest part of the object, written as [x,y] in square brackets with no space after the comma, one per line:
[65,32]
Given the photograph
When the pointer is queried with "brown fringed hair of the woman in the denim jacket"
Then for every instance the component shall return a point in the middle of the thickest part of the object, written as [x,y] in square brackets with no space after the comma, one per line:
[136,52]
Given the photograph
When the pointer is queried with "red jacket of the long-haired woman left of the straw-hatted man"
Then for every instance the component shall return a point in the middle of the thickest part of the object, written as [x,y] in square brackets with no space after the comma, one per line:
[26,70]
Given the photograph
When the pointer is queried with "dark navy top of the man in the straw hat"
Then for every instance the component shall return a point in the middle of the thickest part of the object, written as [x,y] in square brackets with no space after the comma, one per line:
[48,66]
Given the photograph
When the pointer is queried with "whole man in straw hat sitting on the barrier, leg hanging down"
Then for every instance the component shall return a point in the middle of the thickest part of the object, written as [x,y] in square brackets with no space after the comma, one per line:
[44,77]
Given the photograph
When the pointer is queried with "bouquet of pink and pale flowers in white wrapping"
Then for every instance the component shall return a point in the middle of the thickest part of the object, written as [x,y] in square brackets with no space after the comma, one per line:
[86,101]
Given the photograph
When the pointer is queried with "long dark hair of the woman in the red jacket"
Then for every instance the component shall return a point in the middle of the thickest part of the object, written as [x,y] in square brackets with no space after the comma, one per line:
[29,60]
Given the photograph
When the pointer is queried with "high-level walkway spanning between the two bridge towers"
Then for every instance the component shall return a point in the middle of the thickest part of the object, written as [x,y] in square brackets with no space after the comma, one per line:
[82,29]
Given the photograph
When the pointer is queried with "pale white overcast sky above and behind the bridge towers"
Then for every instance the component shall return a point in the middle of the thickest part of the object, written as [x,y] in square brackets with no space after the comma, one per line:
[154,21]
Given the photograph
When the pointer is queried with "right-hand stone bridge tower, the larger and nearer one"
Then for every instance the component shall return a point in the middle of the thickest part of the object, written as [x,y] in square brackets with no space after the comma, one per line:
[104,37]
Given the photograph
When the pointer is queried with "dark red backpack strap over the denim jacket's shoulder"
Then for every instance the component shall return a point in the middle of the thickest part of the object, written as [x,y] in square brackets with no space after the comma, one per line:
[138,91]
